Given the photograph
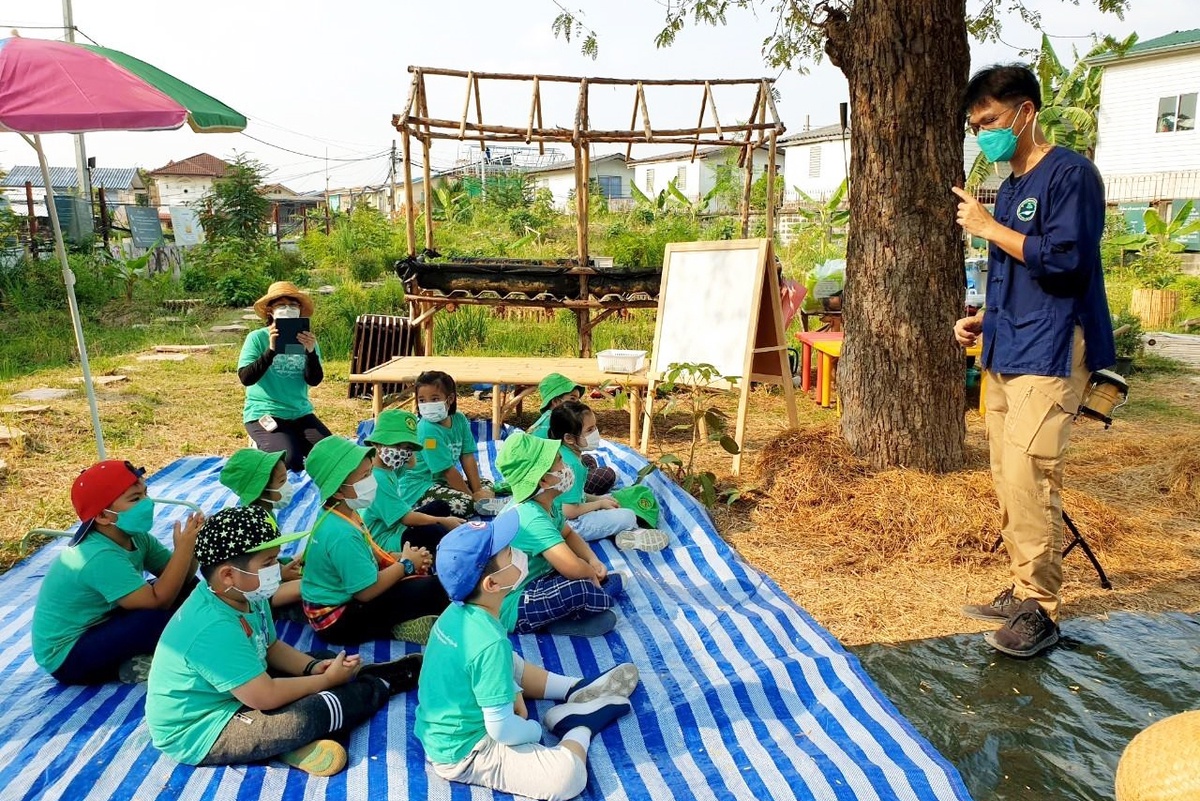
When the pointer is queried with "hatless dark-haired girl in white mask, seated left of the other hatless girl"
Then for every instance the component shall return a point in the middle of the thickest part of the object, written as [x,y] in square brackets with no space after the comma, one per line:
[447,443]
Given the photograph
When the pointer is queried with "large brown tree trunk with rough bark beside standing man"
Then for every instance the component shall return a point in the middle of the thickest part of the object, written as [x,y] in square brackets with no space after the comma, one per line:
[902,375]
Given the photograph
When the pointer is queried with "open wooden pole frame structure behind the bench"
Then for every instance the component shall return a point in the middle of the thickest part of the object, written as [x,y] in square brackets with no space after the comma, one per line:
[761,129]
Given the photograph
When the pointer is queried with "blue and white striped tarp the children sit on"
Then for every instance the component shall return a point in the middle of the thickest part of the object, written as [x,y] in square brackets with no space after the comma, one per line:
[743,695]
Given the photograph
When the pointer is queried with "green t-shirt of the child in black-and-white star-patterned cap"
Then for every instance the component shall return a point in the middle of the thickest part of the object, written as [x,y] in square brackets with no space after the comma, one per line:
[207,652]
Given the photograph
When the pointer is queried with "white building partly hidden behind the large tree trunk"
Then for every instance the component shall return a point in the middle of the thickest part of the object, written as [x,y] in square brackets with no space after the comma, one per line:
[818,160]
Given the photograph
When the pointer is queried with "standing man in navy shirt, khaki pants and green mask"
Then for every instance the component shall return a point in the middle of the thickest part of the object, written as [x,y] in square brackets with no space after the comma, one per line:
[1046,328]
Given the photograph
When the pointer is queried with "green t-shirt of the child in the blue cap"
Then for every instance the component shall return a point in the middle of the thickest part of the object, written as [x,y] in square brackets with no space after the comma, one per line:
[469,666]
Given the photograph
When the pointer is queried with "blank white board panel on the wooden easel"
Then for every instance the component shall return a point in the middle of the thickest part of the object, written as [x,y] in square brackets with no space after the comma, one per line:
[709,305]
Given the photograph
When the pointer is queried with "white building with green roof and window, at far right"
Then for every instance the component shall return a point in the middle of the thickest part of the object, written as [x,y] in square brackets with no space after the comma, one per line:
[1148,144]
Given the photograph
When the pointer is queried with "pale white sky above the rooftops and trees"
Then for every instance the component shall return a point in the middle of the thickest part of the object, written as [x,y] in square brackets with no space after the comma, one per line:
[325,79]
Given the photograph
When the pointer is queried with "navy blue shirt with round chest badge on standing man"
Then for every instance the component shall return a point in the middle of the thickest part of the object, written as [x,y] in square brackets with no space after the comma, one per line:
[1035,304]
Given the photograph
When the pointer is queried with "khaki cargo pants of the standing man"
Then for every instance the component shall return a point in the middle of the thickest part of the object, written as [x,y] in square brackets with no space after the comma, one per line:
[1029,426]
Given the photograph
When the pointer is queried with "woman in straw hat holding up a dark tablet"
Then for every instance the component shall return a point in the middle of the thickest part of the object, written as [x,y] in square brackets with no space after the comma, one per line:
[278,413]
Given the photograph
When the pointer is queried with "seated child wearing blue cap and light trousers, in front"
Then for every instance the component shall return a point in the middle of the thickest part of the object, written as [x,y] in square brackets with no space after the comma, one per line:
[472,716]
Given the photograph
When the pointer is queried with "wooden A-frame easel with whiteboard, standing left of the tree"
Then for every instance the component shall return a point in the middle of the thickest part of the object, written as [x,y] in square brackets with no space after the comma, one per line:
[719,304]
